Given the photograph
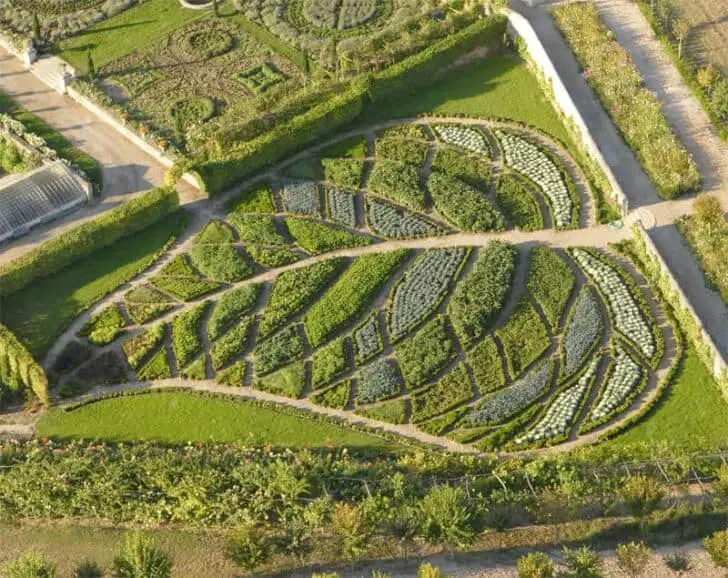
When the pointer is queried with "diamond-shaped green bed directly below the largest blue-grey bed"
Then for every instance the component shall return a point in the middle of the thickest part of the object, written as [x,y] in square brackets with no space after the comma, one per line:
[425,353]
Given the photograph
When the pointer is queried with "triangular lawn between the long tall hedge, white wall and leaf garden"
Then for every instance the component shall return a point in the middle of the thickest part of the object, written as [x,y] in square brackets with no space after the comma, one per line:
[495,87]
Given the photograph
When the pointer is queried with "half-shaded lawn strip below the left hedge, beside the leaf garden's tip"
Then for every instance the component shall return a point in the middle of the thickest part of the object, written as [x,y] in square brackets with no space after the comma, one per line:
[39,313]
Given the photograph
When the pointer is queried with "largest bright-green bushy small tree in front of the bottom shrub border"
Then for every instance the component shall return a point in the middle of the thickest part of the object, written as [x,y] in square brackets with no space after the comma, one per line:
[447,518]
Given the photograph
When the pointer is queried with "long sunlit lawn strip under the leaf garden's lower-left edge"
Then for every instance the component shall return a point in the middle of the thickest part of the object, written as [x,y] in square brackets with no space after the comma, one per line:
[179,417]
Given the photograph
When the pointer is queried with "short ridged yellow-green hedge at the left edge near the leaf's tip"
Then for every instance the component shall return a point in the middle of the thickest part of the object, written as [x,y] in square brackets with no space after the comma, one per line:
[18,370]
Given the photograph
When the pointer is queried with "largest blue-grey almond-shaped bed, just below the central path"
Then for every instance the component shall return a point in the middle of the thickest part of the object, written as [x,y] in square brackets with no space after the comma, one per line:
[423,288]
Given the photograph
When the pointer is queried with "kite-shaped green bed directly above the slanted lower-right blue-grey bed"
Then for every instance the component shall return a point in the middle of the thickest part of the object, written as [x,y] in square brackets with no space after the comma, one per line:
[524,338]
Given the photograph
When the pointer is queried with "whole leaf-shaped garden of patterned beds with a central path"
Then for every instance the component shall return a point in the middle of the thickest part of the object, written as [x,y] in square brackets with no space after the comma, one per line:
[374,278]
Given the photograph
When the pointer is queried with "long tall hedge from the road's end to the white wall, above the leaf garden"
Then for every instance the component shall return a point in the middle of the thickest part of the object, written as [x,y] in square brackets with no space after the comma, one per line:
[405,77]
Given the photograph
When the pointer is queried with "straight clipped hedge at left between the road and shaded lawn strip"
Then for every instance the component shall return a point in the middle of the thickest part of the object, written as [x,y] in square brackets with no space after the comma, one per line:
[60,252]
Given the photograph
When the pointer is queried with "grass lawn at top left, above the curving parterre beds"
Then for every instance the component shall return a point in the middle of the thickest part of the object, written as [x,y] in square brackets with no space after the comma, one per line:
[138,29]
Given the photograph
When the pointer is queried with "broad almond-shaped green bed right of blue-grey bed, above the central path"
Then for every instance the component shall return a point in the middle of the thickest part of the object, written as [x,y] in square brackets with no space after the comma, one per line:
[463,206]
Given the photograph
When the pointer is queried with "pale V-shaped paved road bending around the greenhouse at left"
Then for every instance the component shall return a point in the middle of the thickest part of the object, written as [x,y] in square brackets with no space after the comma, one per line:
[126,168]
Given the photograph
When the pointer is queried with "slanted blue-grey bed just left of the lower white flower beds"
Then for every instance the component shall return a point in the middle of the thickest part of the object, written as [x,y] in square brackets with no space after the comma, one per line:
[504,404]
